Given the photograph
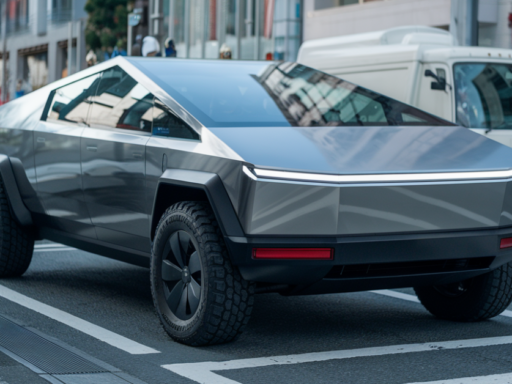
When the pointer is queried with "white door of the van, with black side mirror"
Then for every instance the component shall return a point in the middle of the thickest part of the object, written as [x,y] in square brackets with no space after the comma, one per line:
[435,101]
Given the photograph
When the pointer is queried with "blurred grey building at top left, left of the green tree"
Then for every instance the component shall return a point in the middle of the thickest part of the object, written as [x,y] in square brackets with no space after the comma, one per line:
[38,36]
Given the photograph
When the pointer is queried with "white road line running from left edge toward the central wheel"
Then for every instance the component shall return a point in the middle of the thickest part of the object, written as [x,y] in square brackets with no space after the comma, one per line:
[83,326]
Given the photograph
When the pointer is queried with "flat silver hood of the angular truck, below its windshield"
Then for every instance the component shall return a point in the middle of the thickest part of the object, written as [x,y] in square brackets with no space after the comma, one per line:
[367,150]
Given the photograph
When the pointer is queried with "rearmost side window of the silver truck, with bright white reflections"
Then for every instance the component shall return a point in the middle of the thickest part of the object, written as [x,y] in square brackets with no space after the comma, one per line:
[71,102]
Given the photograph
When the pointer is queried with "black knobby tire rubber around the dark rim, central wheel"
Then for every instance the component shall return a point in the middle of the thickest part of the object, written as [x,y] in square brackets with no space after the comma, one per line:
[226,300]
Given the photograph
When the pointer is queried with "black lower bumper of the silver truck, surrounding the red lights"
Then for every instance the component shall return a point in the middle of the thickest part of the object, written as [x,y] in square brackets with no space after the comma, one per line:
[374,262]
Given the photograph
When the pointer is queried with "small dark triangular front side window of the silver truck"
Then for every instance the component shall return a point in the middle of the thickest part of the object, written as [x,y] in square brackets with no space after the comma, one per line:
[166,123]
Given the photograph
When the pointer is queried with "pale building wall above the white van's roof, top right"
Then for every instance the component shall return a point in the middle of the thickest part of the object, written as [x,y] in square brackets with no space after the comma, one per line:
[329,18]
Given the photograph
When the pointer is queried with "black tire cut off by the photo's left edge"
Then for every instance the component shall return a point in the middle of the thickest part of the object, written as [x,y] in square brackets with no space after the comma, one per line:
[16,242]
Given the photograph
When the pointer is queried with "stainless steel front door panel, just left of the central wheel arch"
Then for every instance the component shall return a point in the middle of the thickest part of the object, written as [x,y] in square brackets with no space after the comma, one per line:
[113,166]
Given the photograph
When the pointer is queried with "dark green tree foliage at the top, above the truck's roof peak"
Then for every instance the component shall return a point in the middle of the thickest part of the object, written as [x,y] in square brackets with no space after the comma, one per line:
[107,24]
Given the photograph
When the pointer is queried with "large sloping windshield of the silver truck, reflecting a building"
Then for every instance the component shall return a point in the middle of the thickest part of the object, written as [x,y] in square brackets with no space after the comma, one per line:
[245,94]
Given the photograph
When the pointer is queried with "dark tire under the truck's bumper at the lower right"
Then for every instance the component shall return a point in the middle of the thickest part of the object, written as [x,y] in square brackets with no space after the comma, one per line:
[486,296]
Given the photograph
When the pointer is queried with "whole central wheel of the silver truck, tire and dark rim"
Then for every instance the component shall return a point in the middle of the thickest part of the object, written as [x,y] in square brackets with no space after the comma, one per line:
[200,297]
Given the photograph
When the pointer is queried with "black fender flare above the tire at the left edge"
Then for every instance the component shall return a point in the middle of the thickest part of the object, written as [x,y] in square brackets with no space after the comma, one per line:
[20,212]
